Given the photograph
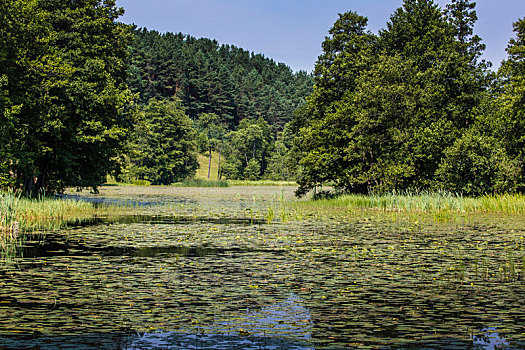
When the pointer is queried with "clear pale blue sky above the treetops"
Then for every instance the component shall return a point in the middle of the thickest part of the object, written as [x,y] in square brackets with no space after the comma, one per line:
[291,31]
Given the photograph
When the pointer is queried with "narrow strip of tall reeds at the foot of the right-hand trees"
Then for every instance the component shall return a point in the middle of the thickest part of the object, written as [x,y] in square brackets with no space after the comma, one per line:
[426,202]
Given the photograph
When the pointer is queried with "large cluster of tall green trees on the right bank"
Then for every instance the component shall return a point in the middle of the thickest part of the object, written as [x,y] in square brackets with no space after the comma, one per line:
[414,107]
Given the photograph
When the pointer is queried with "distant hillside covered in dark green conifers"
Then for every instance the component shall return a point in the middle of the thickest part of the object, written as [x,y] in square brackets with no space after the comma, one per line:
[211,78]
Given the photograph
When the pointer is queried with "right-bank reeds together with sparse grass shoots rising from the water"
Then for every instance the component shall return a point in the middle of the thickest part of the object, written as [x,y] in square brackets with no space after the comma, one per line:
[436,207]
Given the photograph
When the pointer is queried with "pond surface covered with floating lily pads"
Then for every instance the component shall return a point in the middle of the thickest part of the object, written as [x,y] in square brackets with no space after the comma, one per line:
[241,268]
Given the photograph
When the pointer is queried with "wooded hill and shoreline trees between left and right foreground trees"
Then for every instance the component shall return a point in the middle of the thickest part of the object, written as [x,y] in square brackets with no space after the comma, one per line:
[237,103]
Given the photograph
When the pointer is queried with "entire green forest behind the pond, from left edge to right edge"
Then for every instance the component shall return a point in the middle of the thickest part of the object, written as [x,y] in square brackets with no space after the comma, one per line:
[411,108]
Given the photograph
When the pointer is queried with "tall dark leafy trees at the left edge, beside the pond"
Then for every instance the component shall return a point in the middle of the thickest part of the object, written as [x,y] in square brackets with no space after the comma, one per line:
[64,95]
